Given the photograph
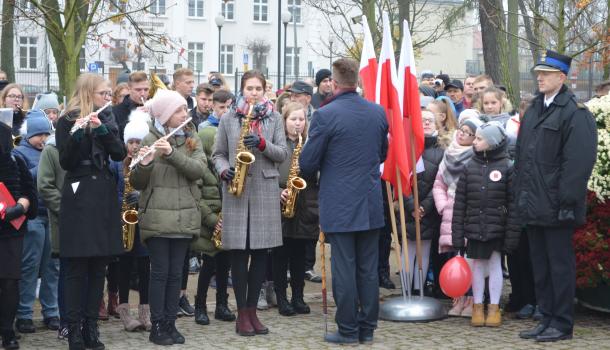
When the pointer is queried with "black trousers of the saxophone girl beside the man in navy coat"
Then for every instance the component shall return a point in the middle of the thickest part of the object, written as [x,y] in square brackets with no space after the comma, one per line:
[292,254]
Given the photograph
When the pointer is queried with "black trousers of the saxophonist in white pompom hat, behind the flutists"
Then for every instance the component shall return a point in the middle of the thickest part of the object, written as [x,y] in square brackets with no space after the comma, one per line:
[126,263]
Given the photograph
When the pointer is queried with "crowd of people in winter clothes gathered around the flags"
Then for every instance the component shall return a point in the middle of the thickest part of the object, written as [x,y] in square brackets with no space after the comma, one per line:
[502,185]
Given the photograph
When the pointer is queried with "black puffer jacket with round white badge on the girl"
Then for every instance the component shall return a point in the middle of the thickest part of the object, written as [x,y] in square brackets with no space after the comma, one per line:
[484,208]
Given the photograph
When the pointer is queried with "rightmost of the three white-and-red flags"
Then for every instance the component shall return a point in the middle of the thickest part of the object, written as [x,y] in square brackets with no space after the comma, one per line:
[409,99]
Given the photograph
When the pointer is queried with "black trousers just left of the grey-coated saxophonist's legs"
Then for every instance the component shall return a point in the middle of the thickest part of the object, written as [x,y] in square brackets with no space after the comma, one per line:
[219,264]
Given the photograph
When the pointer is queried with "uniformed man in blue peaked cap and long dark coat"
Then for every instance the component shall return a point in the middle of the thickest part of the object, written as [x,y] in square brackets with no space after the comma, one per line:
[555,154]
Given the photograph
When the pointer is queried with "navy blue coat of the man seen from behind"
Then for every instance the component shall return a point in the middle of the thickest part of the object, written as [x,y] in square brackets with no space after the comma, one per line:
[347,143]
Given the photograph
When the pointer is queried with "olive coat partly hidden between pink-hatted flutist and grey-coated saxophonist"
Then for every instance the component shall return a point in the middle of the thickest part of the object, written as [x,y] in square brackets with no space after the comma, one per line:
[210,202]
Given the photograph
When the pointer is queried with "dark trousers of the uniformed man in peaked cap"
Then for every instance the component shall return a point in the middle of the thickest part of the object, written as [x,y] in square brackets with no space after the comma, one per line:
[554,267]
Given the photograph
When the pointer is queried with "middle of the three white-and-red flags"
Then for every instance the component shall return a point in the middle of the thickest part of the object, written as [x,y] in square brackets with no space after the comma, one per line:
[387,95]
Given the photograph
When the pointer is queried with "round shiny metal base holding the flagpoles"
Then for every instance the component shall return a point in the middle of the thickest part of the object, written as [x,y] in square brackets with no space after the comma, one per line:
[412,309]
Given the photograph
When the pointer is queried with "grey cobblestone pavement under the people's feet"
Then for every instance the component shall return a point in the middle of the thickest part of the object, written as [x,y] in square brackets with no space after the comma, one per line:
[592,331]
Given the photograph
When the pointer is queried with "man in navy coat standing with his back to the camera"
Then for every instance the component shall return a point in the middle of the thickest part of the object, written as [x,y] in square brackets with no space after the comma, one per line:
[347,143]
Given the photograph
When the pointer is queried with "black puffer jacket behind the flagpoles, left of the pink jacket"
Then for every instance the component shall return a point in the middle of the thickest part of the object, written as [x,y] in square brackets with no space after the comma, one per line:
[431,221]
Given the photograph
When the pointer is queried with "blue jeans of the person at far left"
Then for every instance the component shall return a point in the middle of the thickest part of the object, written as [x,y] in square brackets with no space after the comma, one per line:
[36,260]
